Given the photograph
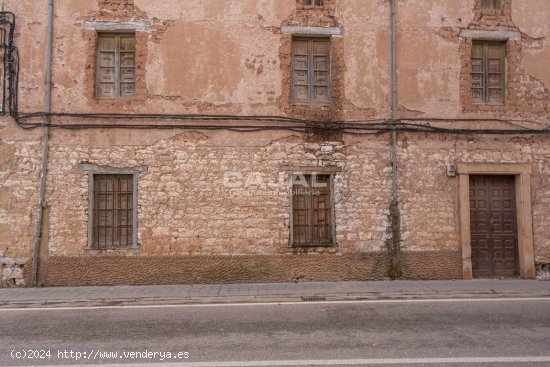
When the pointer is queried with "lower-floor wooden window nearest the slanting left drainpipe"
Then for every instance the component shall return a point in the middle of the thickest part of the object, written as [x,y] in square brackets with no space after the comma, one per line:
[112,211]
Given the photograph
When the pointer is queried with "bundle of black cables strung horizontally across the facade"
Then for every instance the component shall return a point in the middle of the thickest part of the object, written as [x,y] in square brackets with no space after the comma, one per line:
[356,127]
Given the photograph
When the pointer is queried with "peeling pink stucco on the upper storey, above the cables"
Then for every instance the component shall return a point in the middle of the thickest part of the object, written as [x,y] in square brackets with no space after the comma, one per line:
[207,56]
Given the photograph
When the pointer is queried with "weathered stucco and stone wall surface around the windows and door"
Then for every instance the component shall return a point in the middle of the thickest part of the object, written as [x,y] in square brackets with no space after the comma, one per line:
[229,57]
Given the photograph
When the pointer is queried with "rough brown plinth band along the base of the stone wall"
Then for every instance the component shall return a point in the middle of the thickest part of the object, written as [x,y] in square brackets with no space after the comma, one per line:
[108,270]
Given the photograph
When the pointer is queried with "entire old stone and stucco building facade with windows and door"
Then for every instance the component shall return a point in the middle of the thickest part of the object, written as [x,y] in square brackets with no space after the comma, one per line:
[209,141]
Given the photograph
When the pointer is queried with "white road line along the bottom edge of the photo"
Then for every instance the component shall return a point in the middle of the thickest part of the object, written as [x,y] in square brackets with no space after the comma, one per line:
[334,362]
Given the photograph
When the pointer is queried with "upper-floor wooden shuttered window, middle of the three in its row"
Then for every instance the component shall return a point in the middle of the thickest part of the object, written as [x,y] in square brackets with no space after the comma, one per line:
[311,70]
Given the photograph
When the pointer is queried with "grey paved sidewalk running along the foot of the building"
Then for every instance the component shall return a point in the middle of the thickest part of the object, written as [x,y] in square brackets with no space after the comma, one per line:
[270,292]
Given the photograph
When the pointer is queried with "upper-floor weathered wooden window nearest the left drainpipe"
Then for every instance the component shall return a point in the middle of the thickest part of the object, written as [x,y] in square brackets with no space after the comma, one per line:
[116,68]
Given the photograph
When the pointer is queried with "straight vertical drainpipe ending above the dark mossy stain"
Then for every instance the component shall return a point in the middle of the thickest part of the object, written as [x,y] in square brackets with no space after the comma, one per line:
[393,104]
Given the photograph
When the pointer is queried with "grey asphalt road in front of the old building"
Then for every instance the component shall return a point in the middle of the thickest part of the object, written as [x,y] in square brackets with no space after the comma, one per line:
[426,333]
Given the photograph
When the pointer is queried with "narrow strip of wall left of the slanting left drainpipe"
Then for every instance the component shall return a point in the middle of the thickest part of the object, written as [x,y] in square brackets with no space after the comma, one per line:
[20,150]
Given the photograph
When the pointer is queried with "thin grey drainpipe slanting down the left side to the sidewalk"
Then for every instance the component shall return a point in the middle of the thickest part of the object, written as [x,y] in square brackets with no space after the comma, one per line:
[44,166]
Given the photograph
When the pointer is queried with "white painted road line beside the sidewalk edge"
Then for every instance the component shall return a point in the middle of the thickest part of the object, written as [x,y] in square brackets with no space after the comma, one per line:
[282,303]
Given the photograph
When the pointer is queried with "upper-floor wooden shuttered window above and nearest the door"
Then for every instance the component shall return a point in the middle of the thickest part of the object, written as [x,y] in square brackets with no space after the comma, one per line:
[488,76]
